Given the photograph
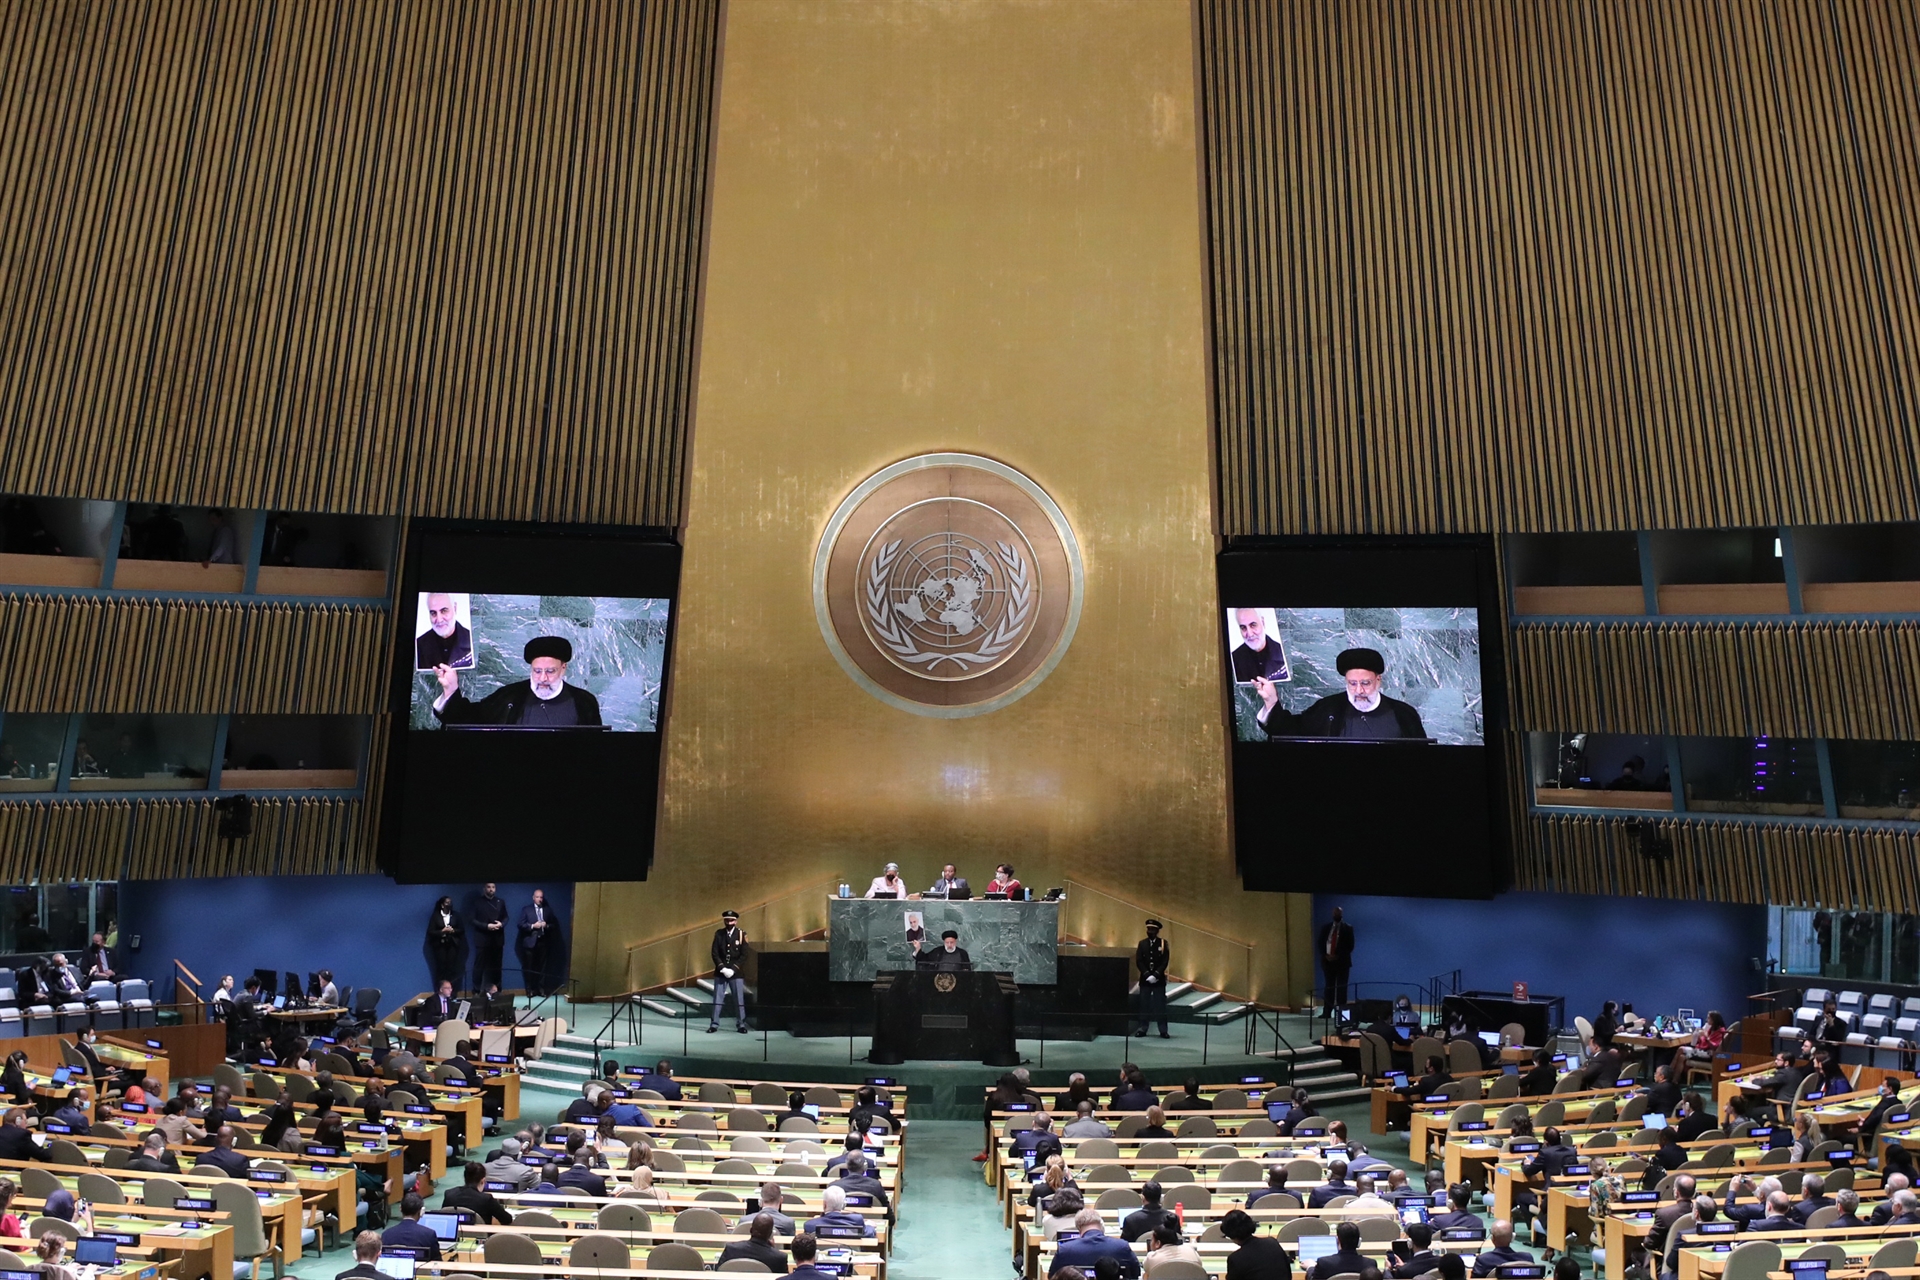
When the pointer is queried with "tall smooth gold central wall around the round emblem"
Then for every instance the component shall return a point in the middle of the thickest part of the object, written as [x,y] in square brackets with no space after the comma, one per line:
[963,227]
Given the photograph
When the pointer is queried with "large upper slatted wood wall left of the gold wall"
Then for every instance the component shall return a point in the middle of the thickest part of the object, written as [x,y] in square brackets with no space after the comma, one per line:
[373,256]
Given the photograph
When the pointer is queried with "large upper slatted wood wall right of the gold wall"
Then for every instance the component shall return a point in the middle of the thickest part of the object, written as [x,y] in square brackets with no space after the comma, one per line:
[1562,266]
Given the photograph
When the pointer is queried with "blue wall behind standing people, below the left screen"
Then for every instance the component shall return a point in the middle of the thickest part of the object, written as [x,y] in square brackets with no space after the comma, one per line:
[364,928]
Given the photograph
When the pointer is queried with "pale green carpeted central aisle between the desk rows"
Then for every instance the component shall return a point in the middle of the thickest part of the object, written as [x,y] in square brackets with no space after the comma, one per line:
[949,1220]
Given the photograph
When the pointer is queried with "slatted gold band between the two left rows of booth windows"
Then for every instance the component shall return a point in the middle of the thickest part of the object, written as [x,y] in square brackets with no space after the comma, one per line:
[191,657]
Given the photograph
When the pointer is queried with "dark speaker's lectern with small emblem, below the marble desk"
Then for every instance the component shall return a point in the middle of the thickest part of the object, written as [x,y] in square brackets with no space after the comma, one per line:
[946,1016]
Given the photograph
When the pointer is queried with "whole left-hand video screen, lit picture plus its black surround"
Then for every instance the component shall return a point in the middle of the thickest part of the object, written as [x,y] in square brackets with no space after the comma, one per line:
[531,678]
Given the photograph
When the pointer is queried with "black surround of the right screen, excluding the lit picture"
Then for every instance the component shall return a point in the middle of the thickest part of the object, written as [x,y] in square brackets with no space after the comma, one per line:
[1424,841]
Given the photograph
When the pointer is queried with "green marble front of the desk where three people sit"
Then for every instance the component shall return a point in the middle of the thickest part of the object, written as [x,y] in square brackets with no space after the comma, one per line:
[869,937]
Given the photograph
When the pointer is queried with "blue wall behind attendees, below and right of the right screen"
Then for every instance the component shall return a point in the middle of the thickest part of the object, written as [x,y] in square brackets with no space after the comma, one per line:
[1656,953]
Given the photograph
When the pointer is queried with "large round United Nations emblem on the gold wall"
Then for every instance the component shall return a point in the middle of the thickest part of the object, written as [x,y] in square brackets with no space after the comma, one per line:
[948,584]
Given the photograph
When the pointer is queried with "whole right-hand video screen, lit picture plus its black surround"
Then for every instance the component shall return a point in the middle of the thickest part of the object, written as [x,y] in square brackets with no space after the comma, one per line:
[1360,715]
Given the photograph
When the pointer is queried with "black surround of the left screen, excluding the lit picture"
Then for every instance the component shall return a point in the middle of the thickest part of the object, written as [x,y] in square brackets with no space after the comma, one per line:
[606,786]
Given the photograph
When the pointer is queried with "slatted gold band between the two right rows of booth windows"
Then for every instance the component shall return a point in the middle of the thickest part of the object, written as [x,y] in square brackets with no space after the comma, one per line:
[1848,680]
